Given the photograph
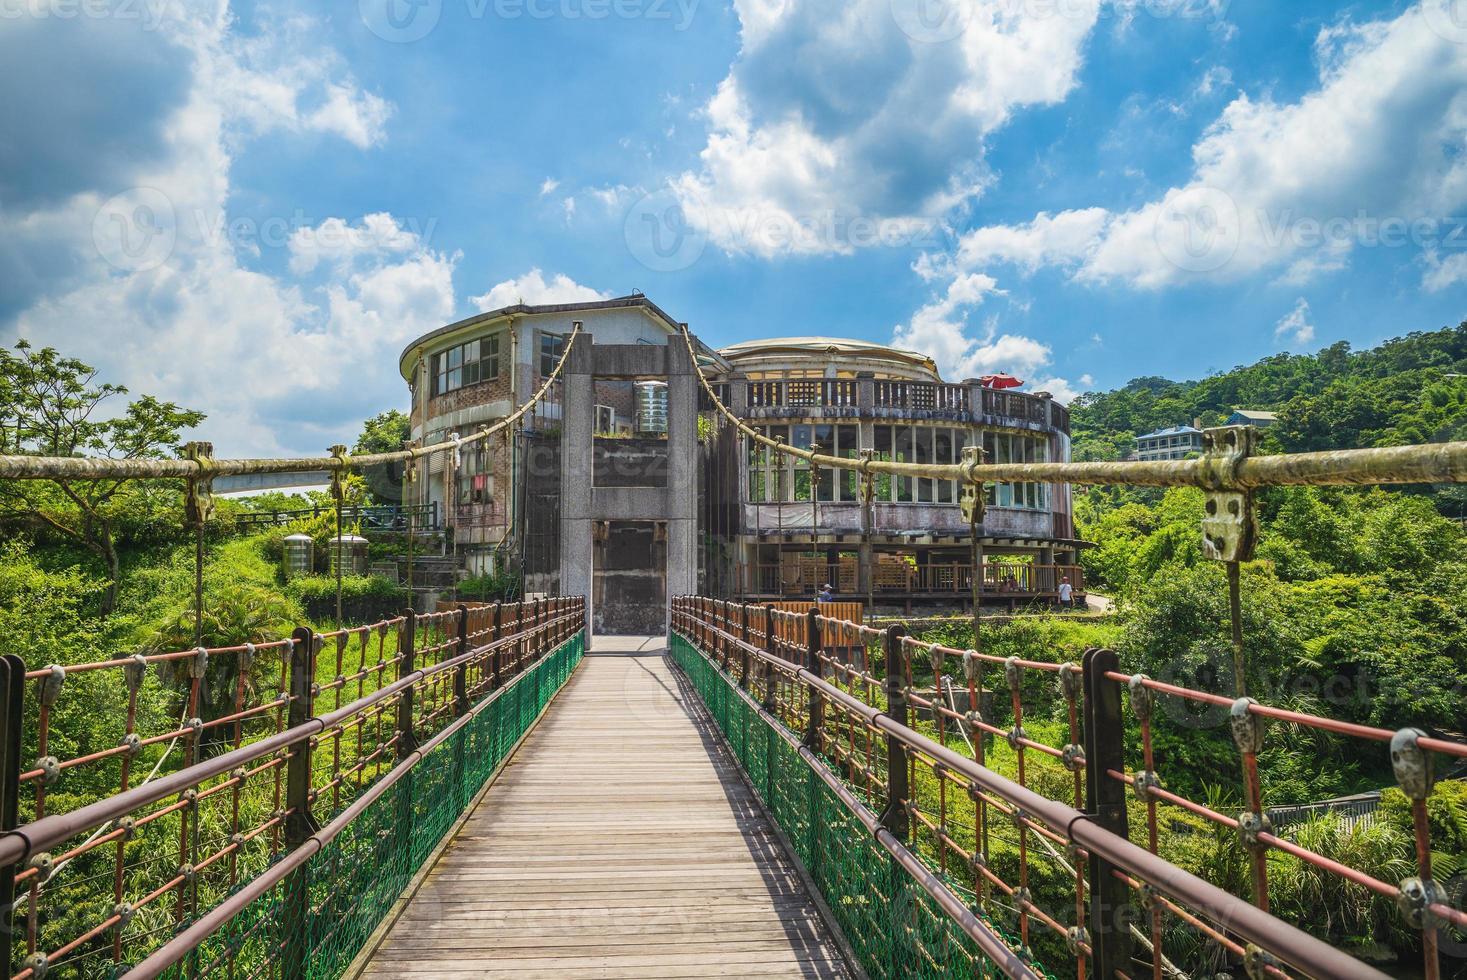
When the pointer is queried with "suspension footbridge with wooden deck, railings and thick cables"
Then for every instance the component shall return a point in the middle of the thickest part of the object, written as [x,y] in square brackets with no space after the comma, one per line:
[486,790]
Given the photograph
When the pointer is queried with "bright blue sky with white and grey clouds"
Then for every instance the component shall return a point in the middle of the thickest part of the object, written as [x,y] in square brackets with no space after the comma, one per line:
[250,209]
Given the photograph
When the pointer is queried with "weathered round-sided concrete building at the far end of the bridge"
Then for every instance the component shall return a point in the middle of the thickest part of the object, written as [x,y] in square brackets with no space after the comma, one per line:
[627,486]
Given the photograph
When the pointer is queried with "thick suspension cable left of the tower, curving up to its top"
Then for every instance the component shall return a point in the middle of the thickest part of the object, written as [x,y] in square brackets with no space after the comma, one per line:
[206,469]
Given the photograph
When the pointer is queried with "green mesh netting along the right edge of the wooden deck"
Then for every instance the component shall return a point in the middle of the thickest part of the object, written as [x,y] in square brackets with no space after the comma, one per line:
[891,924]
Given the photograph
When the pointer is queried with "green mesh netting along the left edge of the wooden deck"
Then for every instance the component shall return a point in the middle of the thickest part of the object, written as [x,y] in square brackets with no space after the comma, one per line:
[322,916]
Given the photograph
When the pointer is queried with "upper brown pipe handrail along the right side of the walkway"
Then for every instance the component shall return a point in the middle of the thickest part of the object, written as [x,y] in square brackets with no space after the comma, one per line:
[1069,824]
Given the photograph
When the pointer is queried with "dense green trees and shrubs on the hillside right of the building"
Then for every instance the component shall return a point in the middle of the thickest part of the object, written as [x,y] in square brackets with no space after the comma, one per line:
[1355,610]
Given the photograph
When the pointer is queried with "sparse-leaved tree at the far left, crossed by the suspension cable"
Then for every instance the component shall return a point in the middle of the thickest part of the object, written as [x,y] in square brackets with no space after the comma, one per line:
[51,406]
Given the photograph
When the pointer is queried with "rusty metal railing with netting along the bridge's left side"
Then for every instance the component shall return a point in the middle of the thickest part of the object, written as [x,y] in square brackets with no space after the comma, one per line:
[98,881]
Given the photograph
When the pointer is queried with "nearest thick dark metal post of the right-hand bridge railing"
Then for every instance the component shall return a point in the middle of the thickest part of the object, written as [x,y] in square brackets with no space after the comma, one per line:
[1105,805]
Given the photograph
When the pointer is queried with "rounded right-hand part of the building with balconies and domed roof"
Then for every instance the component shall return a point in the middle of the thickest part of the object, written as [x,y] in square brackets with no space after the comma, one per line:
[799,530]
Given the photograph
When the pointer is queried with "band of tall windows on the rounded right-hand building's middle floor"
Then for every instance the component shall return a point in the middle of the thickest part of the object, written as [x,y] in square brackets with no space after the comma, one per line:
[780,479]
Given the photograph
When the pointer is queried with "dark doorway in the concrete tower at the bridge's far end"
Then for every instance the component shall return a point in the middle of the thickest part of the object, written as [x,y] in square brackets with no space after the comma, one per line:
[630,586]
